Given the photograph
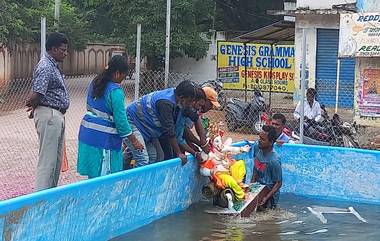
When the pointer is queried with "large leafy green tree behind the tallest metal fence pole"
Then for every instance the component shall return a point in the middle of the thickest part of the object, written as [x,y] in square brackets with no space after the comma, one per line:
[188,19]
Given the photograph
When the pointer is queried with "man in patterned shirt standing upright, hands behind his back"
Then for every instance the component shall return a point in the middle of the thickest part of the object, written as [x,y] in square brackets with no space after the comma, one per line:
[47,104]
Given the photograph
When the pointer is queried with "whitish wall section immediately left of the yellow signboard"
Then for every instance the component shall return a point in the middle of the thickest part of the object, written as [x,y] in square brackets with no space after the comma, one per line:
[203,69]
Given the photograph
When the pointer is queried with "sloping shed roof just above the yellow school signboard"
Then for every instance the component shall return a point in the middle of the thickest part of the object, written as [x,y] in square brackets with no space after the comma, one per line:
[278,32]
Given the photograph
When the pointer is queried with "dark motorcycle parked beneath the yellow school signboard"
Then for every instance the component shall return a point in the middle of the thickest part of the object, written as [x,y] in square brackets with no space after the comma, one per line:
[242,114]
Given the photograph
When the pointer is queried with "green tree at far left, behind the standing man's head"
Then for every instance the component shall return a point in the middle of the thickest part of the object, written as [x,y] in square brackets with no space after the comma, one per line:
[20,22]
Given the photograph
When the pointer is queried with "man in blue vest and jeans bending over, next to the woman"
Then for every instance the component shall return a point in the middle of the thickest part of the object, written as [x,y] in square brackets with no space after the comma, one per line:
[152,118]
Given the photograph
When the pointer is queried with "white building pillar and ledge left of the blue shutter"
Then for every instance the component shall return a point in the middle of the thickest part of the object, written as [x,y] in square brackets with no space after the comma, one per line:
[311,23]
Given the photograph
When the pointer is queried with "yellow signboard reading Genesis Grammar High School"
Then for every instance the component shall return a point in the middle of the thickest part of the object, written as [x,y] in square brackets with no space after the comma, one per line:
[256,65]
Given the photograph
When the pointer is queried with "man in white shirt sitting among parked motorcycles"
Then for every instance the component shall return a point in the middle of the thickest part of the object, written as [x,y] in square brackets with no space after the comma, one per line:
[312,109]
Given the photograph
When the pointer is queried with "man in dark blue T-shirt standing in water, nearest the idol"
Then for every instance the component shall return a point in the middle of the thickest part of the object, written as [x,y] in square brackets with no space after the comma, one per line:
[267,166]
